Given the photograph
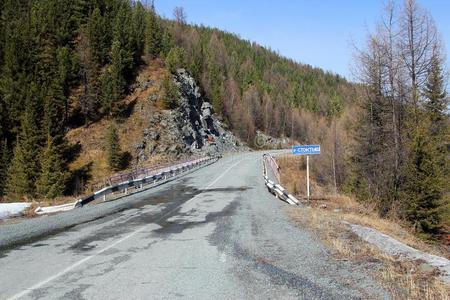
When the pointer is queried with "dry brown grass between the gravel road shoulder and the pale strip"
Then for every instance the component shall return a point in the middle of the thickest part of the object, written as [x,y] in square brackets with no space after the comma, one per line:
[402,279]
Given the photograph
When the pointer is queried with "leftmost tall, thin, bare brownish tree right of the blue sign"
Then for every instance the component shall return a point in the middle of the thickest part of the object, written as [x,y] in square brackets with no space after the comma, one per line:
[372,178]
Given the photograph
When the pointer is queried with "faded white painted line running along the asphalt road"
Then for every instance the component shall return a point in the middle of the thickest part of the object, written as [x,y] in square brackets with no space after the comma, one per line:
[79,263]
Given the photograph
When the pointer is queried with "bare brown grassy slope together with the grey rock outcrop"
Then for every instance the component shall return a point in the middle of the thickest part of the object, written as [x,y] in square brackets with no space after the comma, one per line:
[150,134]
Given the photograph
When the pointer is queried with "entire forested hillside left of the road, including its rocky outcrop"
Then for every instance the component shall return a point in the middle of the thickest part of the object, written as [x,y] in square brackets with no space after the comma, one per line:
[86,76]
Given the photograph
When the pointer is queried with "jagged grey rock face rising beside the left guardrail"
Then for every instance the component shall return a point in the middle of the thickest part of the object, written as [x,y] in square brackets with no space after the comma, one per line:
[189,129]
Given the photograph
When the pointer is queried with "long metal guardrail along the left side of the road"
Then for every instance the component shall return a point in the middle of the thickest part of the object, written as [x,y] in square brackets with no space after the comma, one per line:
[155,176]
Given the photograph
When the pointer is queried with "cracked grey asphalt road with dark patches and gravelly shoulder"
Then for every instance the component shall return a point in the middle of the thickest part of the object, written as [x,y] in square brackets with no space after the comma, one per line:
[214,233]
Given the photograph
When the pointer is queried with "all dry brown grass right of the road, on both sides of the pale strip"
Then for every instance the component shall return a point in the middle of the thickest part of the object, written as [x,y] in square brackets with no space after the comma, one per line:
[403,279]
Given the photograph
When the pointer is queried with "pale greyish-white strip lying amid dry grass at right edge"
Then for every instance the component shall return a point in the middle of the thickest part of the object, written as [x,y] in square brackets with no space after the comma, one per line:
[396,248]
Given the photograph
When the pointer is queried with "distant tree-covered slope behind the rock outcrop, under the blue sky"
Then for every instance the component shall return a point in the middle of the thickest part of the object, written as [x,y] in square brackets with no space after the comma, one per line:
[255,88]
